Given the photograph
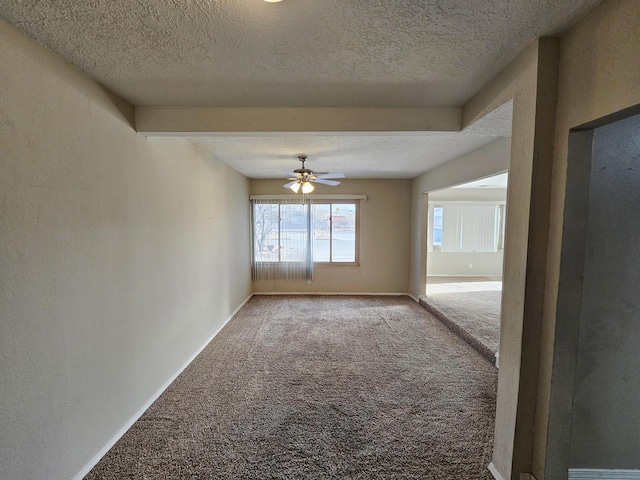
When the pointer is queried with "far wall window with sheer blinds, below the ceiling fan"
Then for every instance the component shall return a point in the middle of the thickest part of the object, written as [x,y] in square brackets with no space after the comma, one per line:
[290,235]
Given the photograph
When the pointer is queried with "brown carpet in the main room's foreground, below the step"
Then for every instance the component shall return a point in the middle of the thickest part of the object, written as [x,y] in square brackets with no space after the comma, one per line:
[320,387]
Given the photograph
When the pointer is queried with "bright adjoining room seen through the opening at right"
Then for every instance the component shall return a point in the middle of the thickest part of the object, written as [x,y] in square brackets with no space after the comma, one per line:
[465,251]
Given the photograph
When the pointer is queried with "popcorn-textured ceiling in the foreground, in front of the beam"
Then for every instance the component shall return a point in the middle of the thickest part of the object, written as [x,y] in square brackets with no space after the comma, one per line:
[294,53]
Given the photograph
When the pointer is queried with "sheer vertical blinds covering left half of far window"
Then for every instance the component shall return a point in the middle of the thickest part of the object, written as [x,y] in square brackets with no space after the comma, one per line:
[282,246]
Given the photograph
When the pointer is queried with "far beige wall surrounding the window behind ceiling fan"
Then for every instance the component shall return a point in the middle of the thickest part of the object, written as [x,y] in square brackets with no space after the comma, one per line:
[384,240]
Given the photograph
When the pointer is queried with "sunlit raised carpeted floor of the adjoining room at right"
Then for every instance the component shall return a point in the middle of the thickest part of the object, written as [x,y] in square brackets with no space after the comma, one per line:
[470,306]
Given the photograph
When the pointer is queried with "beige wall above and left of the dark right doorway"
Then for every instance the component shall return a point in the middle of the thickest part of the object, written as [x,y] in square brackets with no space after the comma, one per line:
[599,74]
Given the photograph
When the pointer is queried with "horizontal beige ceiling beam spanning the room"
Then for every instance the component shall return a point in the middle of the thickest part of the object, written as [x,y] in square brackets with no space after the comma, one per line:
[211,121]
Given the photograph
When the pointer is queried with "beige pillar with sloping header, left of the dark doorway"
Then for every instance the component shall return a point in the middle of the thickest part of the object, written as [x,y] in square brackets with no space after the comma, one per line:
[531,81]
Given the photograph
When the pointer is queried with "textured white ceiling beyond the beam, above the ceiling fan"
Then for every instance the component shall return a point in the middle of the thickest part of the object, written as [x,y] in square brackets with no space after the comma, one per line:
[357,156]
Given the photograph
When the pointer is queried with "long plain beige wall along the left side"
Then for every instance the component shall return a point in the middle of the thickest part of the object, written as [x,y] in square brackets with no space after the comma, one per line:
[120,256]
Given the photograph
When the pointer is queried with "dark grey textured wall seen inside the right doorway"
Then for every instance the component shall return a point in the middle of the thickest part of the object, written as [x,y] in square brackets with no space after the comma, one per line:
[606,407]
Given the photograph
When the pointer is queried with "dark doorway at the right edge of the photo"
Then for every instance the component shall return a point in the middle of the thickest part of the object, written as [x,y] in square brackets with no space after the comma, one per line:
[595,397]
